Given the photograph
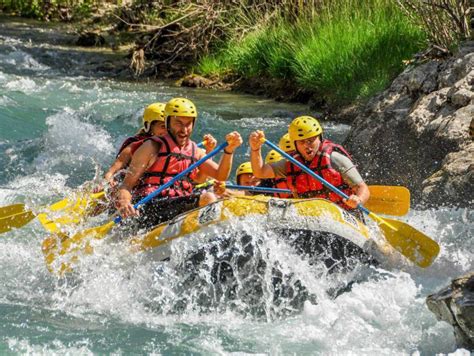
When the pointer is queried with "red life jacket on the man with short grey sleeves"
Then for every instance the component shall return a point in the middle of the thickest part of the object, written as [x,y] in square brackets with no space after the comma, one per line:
[309,187]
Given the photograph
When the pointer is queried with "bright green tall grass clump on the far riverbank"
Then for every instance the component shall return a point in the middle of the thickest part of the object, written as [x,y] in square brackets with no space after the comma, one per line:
[349,50]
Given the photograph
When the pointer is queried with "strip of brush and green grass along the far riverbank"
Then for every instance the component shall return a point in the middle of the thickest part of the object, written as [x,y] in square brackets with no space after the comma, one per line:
[333,52]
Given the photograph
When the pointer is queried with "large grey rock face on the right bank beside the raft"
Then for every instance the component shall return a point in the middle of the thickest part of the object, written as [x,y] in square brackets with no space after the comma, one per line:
[418,133]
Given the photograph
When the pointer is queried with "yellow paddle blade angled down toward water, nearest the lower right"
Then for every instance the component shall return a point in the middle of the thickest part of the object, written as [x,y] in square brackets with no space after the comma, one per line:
[410,242]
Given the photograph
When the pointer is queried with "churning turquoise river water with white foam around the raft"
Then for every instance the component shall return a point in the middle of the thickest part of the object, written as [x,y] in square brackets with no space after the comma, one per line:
[60,126]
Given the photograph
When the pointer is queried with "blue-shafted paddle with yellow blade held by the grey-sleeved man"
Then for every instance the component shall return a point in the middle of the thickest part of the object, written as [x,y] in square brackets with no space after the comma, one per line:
[411,243]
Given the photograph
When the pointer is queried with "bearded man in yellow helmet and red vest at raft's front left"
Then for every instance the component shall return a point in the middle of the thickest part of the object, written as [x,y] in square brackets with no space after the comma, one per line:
[160,159]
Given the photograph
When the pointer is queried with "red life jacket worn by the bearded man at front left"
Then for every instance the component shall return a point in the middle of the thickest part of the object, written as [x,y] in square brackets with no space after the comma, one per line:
[171,160]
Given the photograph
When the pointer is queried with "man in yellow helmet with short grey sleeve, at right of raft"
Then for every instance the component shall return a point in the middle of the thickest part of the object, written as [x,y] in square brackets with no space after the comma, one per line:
[327,159]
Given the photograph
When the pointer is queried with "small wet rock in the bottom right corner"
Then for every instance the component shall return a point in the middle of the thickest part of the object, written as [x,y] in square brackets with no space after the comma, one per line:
[455,305]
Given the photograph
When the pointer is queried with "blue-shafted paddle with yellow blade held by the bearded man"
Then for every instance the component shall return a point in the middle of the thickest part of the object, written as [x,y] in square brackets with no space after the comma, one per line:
[101,231]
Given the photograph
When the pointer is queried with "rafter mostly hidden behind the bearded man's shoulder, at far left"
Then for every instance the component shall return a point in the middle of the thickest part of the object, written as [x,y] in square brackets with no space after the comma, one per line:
[153,124]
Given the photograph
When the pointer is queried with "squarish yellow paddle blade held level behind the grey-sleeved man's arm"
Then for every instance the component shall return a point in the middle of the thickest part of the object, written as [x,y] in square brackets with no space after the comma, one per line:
[390,200]
